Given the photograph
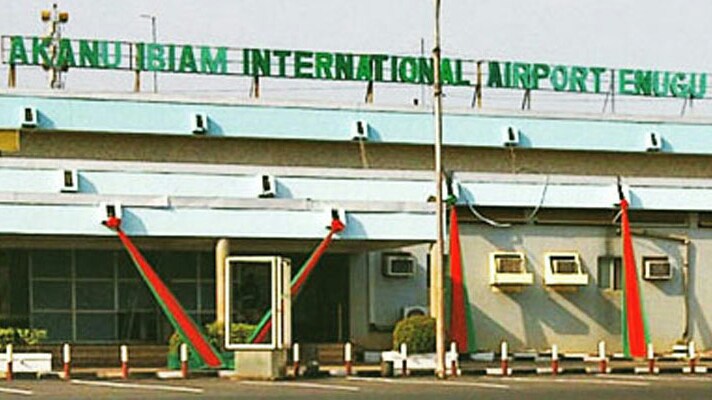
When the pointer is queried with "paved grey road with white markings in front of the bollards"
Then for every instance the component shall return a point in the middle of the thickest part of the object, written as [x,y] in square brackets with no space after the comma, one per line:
[545,388]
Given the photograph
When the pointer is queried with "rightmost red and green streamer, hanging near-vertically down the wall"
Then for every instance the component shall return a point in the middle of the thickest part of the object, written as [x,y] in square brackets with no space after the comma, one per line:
[633,320]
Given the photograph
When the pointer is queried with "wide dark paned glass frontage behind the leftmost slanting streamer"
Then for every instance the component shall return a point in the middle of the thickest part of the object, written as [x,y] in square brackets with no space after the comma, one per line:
[99,296]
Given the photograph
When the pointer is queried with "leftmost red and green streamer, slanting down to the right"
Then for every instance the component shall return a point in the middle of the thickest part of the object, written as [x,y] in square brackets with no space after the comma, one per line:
[187,329]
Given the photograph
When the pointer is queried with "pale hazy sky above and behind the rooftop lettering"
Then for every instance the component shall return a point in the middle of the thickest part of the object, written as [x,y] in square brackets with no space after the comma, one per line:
[652,34]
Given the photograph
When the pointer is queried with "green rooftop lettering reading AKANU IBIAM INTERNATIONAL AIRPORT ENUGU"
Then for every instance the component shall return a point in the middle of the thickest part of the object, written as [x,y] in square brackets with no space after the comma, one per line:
[335,66]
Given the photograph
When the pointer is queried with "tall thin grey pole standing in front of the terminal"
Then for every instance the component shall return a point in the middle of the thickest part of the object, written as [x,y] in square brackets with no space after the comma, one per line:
[438,274]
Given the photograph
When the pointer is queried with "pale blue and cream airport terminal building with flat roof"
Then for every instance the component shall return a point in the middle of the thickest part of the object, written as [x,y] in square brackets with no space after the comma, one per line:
[196,180]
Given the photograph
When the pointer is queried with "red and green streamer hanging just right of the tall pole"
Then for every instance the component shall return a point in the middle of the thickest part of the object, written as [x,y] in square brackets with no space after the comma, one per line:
[462,330]
